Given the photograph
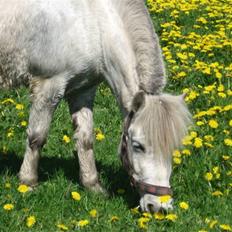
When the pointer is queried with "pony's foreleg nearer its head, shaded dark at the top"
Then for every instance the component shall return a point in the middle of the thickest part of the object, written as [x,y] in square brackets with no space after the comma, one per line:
[81,109]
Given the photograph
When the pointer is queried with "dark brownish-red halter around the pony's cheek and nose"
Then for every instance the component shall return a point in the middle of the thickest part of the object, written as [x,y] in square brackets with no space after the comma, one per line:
[142,187]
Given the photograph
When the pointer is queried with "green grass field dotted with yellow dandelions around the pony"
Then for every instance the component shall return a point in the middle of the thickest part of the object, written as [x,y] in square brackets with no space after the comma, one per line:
[196,38]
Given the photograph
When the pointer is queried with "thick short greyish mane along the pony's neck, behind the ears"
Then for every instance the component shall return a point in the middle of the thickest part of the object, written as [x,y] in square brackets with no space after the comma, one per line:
[145,42]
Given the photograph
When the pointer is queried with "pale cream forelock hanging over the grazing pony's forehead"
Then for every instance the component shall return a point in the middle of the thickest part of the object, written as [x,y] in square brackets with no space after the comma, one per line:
[165,119]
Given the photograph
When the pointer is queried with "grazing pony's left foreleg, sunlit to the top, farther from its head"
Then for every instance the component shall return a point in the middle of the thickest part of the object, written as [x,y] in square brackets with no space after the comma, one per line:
[46,94]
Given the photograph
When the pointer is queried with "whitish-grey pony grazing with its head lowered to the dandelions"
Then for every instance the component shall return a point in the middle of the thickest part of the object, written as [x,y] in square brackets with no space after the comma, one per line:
[64,49]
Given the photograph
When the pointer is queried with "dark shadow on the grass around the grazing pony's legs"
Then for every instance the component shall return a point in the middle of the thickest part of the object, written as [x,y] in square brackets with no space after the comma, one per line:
[114,178]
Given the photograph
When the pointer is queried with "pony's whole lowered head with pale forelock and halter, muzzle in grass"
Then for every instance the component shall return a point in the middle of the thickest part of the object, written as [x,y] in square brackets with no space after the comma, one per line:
[153,129]
